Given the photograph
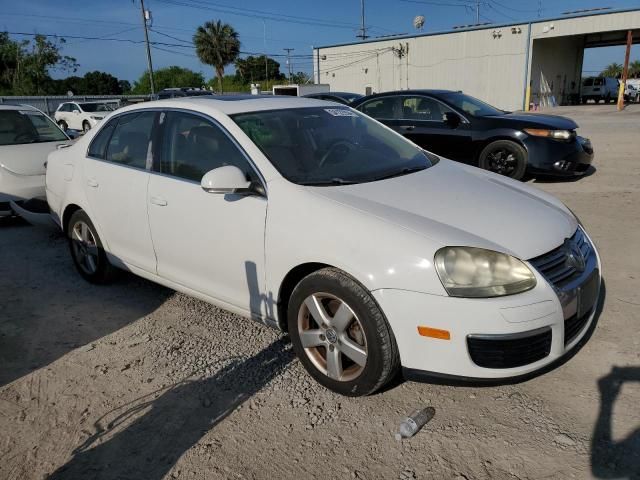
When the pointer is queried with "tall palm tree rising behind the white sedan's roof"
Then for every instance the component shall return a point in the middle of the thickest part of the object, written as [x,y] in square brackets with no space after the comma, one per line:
[217,45]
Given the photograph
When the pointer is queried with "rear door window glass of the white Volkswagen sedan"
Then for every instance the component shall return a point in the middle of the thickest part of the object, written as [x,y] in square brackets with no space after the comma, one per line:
[130,140]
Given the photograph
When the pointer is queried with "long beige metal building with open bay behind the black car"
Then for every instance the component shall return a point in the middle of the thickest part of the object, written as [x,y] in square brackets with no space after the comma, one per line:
[493,62]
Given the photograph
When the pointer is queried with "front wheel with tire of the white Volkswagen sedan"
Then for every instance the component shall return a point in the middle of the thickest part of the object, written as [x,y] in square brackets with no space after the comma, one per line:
[340,334]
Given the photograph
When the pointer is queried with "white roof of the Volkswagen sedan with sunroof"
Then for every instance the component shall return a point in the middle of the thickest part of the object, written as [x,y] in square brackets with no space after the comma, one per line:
[232,104]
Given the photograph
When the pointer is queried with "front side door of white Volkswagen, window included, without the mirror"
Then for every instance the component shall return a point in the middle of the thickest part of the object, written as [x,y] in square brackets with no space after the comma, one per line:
[208,242]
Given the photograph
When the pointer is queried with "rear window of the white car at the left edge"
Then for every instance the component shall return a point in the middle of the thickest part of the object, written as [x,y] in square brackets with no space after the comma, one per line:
[27,126]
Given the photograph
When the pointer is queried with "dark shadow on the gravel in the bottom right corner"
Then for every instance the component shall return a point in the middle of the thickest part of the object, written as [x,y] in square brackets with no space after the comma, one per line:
[615,458]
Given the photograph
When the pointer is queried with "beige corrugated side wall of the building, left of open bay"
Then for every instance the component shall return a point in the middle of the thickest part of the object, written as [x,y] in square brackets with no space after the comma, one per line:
[487,64]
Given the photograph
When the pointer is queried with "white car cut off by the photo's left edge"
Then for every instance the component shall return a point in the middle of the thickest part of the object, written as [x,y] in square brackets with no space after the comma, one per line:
[27,136]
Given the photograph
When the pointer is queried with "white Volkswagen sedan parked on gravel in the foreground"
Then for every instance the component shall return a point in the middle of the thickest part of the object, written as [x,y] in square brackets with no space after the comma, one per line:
[316,219]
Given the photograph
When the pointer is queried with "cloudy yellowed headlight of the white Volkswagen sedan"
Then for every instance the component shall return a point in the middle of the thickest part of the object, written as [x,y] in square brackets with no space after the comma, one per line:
[476,272]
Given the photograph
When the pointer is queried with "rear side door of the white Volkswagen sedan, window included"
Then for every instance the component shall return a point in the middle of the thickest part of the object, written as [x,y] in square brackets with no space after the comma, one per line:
[116,177]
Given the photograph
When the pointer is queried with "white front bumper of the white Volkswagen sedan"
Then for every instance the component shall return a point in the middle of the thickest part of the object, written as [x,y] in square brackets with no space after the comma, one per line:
[492,338]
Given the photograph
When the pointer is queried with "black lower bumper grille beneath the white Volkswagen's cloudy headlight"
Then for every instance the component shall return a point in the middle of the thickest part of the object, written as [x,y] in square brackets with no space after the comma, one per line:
[510,351]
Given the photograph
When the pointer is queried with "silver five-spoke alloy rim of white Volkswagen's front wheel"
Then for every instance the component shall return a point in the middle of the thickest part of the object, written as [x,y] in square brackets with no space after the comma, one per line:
[332,337]
